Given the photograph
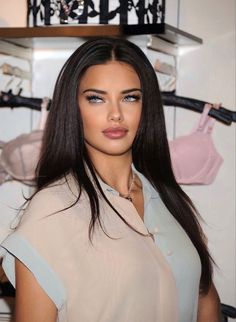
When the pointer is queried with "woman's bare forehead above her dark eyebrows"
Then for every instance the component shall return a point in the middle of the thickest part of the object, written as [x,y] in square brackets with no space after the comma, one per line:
[113,73]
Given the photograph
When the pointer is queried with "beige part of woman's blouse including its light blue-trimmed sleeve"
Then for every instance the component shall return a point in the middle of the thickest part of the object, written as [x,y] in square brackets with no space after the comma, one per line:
[125,278]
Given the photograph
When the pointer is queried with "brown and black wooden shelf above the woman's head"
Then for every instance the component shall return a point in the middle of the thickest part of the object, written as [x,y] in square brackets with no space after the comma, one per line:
[28,36]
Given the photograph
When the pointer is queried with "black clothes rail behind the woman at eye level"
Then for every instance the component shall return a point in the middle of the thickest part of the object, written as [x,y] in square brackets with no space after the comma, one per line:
[8,99]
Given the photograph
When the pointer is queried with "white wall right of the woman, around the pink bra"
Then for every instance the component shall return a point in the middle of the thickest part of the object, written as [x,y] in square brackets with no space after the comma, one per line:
[208,73]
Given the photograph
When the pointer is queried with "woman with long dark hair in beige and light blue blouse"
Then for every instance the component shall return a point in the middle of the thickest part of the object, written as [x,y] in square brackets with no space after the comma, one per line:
[108,235]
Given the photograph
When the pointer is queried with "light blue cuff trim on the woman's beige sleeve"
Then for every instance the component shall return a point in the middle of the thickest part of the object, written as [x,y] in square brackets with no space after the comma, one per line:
[18,247]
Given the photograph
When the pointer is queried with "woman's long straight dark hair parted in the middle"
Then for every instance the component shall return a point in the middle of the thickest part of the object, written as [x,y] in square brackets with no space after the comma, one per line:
[64,150]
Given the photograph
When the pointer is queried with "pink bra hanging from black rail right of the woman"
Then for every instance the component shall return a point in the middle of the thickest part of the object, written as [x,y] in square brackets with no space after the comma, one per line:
[194,157]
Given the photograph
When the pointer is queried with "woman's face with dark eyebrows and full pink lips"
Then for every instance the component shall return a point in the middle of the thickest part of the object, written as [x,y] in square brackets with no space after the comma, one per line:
[110,102]
